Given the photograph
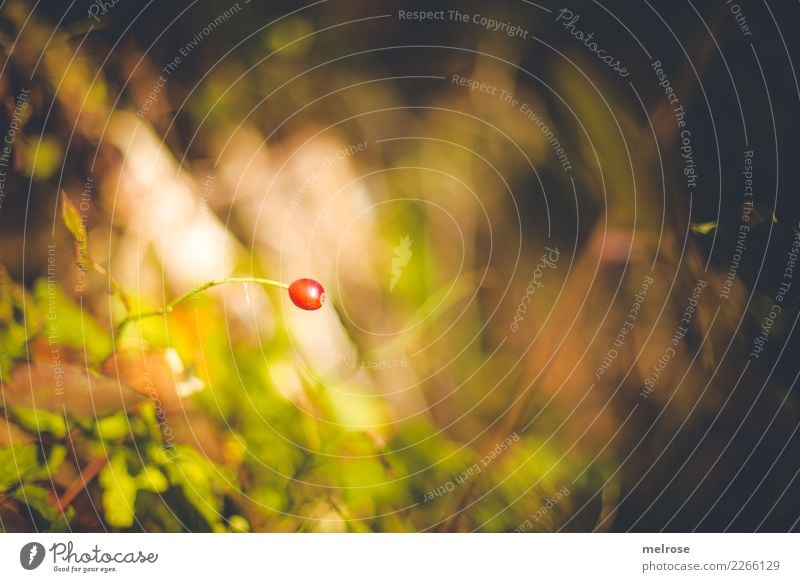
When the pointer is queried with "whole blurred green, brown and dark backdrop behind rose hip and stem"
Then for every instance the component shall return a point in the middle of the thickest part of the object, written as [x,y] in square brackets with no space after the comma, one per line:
[541,303]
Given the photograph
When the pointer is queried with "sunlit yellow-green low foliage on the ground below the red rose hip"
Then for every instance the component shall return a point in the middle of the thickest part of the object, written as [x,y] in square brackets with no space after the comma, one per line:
[265,462]
